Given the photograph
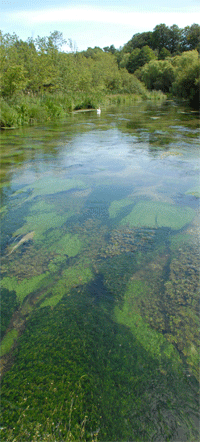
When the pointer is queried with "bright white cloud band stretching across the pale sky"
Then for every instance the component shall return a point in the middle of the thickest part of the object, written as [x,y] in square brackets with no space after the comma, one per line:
[144,20]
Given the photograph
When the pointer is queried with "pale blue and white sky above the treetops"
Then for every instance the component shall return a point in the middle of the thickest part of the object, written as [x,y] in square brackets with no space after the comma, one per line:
[90,23]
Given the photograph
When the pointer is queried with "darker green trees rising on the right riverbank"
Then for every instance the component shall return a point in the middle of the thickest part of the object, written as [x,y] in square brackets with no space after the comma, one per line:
[165,59]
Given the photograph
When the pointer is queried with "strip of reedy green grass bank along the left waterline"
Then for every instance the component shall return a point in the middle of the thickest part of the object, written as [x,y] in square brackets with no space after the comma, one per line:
[27,110]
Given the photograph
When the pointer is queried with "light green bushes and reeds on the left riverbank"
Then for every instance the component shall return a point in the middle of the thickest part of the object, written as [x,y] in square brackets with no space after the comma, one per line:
[40,82]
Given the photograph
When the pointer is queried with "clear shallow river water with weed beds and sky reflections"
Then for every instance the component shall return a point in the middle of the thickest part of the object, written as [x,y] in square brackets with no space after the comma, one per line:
[100,275]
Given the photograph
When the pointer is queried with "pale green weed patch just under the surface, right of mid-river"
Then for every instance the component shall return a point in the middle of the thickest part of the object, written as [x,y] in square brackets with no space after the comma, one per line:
[158,214]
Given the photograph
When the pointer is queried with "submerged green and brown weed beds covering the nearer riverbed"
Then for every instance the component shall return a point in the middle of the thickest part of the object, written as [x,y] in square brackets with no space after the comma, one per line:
[108,332]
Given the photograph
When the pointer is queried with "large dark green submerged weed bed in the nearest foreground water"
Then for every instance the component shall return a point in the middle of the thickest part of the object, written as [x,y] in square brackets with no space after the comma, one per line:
[75,361]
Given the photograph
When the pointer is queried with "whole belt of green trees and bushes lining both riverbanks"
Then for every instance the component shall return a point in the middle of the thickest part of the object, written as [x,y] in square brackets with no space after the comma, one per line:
[38,77]
